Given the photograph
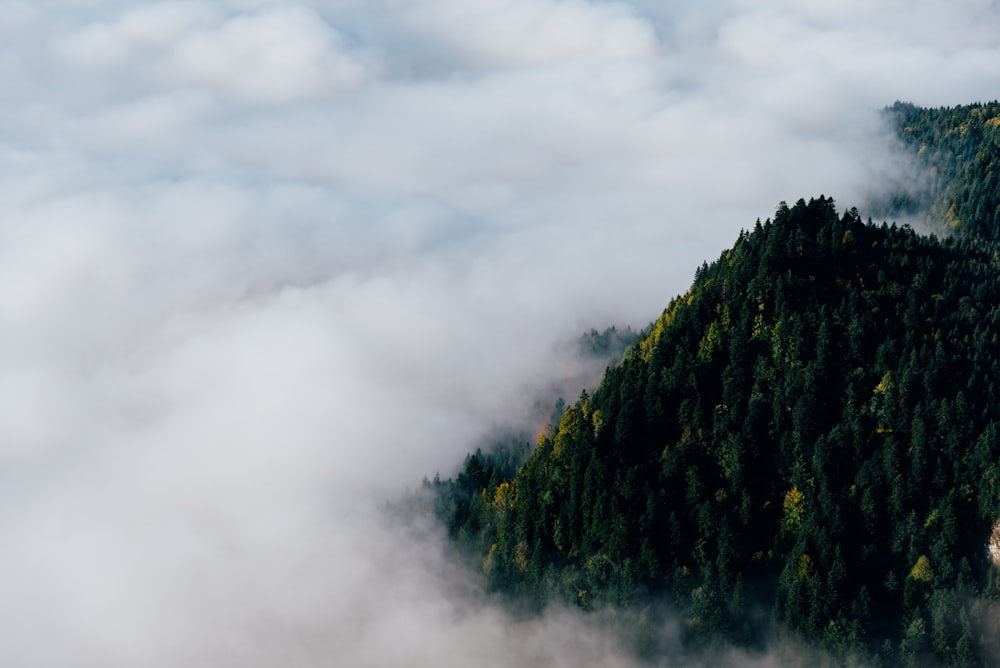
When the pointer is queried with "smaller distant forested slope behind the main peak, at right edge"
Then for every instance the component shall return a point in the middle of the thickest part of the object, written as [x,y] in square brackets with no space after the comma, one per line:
[957,151]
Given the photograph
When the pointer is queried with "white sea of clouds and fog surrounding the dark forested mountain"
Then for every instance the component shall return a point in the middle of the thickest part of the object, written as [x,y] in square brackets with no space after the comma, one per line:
[266,264]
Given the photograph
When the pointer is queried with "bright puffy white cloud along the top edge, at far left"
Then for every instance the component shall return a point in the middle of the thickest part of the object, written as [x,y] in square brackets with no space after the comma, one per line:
[276,54]
